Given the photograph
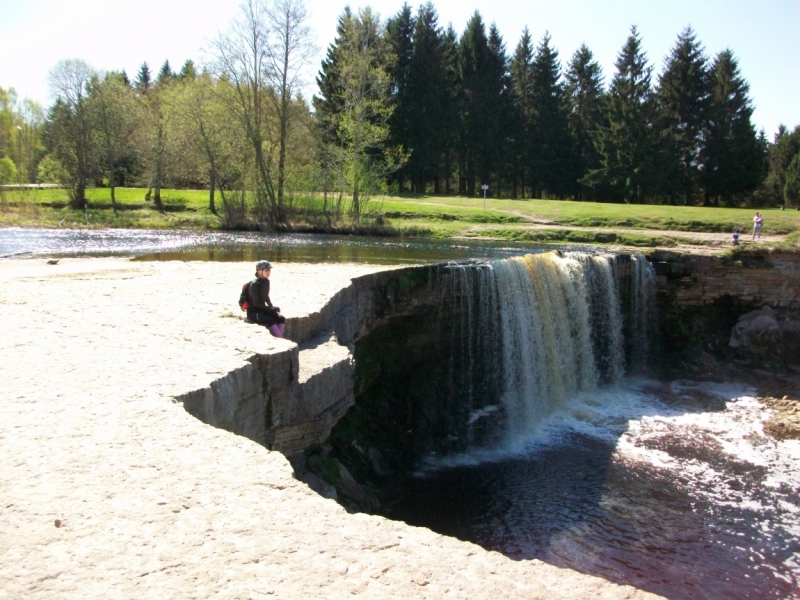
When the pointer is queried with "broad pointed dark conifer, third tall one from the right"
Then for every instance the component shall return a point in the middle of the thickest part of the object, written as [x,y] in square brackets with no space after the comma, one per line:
[626,143]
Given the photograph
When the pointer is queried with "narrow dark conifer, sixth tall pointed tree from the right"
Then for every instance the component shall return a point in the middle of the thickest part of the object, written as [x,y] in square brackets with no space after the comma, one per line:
[521,69]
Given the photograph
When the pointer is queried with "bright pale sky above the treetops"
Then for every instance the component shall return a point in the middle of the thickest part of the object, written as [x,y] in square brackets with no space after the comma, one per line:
[120,34]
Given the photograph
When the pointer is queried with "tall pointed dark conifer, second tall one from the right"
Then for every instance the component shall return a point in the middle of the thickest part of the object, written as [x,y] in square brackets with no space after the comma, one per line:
[683,110]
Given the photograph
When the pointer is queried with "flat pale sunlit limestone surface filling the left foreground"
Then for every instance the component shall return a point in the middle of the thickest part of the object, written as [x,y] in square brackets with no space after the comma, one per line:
[109,489]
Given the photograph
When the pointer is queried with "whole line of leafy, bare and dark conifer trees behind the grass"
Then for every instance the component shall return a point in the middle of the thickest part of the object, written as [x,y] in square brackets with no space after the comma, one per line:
[402,105]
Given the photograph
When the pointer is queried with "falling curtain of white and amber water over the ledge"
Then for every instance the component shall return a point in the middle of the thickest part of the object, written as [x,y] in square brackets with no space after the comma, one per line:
[528,333]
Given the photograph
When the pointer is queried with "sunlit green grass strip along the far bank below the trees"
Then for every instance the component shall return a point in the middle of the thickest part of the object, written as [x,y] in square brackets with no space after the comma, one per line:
[423,216]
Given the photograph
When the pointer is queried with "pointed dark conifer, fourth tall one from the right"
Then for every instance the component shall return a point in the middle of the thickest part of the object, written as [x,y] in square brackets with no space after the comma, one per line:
[583,94]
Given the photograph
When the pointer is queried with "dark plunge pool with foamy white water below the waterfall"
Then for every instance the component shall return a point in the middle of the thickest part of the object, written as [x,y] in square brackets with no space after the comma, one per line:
[671,488]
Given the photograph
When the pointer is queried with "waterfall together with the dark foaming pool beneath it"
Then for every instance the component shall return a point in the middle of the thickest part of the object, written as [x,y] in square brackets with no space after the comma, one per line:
[673,488]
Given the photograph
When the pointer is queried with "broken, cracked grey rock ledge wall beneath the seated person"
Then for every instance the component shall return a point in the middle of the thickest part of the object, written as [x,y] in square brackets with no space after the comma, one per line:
[290,400]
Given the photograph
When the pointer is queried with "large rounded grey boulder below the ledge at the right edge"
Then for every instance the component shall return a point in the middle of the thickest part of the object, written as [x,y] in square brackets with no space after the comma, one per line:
[769,337]
